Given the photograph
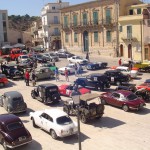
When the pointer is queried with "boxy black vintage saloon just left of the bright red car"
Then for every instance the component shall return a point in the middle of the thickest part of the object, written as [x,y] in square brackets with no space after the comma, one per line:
[46,93]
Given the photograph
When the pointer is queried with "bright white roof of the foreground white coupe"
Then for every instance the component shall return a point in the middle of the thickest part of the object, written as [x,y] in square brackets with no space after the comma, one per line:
[55,113]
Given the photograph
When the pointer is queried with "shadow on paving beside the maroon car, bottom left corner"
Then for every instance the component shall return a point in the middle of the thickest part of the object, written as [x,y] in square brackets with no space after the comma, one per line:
[34,145]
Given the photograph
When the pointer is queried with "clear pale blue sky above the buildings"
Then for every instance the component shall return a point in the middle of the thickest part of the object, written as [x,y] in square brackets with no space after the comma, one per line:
[30,7]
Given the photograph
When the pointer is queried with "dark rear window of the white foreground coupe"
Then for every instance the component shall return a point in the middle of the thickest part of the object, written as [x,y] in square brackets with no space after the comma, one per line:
[64,120]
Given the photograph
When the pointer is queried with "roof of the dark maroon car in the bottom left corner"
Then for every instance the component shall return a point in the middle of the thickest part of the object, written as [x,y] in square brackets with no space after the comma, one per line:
[8,118]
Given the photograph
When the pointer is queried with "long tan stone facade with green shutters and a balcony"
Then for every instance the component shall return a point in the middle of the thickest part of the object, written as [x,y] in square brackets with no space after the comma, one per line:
[90,27]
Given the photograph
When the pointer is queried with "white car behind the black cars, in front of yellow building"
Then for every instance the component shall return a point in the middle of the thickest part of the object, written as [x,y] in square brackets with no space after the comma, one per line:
[125,70]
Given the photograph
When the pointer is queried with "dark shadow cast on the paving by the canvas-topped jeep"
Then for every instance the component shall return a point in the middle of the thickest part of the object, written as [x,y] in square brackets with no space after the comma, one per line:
[106,122]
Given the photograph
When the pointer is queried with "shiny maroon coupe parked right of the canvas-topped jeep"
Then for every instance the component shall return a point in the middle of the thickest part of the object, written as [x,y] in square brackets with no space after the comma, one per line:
[124,99]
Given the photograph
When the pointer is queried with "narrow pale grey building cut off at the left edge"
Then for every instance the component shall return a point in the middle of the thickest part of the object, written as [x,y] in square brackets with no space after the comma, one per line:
[3,27]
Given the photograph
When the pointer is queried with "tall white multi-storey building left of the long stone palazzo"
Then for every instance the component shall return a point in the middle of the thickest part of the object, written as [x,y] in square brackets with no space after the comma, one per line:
[51,24]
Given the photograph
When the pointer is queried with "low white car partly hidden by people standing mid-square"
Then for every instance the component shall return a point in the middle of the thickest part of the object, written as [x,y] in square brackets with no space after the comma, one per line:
[70,68]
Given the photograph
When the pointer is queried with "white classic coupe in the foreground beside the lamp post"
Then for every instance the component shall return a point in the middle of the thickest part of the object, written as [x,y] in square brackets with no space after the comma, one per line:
[54,121]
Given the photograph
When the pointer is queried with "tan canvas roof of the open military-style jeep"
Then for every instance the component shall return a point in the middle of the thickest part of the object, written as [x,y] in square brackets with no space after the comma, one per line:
[88,96]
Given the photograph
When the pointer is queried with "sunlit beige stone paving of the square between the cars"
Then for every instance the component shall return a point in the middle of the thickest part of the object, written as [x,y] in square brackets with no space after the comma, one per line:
[116,130]
